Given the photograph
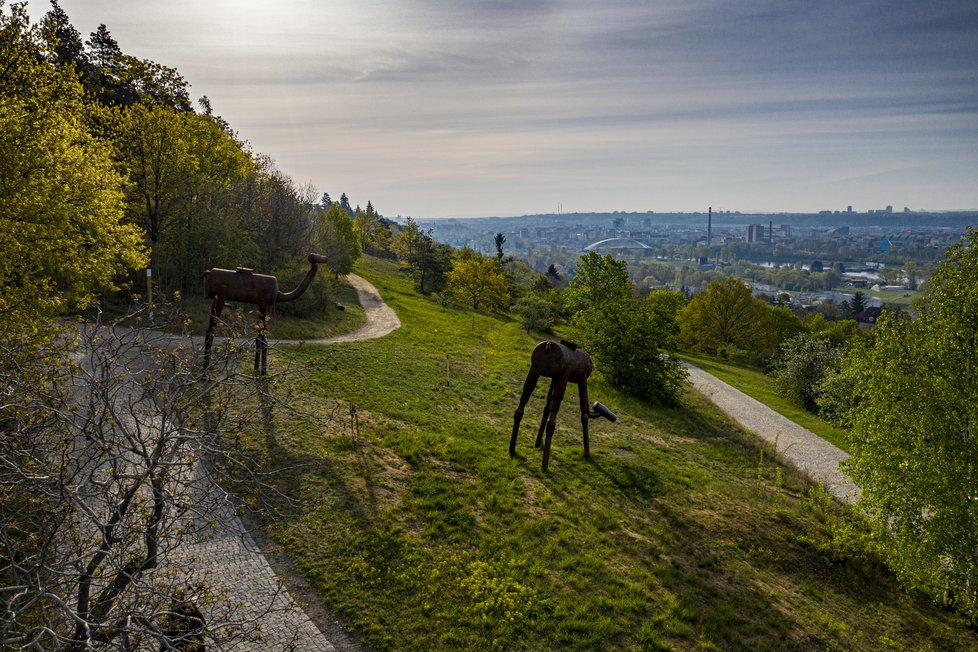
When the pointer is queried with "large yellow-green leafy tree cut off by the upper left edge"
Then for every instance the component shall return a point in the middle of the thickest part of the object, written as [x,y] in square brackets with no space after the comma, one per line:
[62,236]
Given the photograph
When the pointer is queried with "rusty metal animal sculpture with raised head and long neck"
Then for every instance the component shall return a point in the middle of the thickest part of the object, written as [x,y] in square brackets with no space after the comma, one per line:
[243,285]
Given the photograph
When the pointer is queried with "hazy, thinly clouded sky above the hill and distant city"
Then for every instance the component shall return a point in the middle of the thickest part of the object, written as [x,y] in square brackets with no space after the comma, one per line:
[504,107]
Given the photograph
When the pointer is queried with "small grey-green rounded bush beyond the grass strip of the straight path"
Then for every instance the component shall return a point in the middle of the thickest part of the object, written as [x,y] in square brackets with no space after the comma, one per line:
[801,368]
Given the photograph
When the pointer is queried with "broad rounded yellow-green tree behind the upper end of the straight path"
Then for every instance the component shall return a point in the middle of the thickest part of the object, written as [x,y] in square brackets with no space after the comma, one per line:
[725,320]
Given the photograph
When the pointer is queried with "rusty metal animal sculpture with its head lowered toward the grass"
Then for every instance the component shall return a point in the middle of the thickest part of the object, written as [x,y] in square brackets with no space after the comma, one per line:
[562,363]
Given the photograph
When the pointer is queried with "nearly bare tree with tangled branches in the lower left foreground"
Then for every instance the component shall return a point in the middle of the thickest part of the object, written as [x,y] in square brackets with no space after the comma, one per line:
[114,464]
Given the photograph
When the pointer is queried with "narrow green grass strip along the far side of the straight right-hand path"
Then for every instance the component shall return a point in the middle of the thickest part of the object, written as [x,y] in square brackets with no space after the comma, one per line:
[760,386]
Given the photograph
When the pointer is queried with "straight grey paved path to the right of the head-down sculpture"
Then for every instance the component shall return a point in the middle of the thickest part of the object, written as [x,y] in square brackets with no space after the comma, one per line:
[802,448]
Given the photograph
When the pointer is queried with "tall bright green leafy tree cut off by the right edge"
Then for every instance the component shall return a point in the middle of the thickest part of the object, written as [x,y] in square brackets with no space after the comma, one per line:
[913,439]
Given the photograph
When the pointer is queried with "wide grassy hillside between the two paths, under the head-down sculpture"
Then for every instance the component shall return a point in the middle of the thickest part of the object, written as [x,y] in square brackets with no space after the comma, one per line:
[680,532]
